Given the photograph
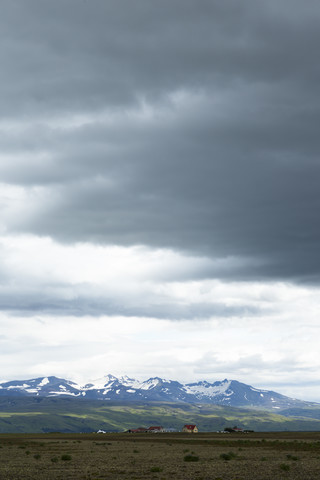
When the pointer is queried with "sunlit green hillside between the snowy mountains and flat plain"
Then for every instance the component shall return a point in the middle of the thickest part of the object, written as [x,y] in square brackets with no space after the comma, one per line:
[27,415]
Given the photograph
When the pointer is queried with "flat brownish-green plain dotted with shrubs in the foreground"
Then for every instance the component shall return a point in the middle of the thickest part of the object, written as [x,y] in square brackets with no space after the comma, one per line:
[263,456]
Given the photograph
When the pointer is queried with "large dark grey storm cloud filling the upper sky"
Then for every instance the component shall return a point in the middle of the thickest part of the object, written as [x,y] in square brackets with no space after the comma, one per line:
[182,124]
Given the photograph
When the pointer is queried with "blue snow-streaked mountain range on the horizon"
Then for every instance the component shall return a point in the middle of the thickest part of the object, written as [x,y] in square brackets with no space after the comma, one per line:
[124,389]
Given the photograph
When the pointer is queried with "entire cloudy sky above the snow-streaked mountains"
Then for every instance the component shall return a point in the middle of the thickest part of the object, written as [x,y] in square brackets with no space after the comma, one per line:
[159,191]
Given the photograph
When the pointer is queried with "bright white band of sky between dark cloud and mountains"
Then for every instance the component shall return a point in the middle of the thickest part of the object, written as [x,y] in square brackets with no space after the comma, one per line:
[251,331]
